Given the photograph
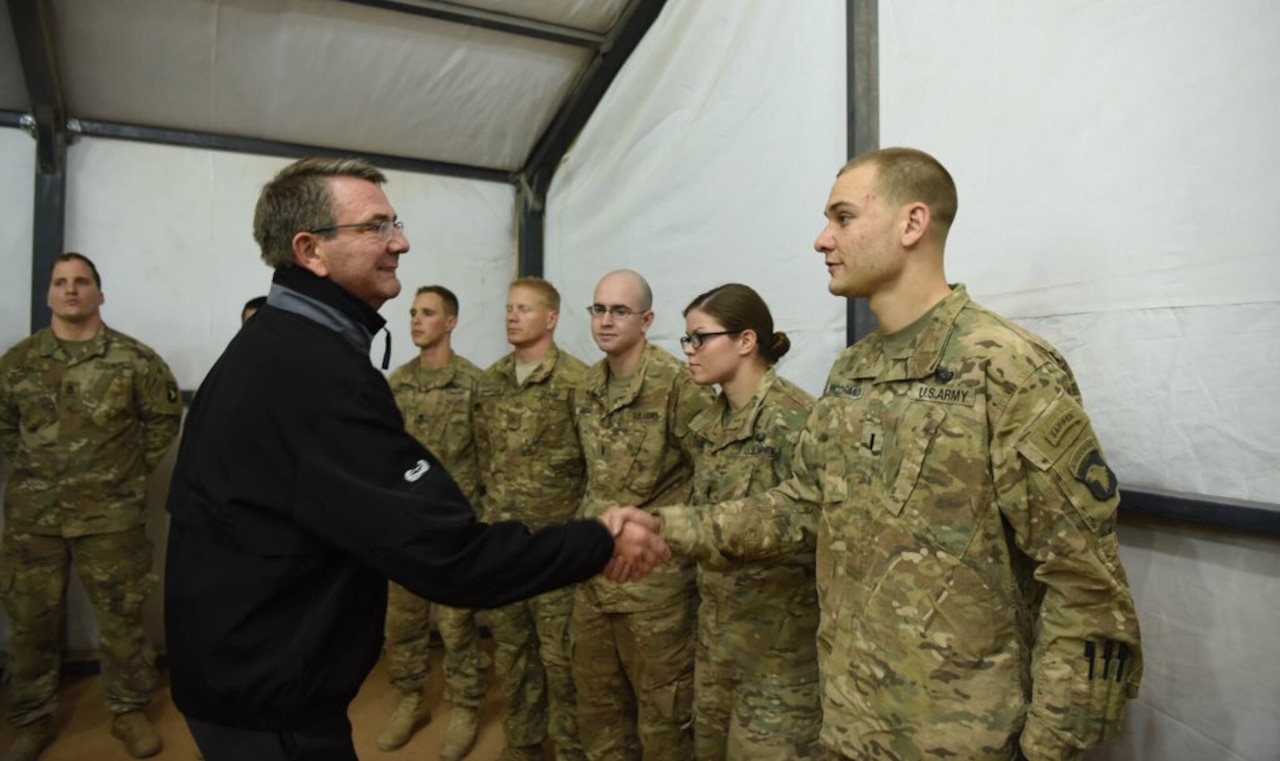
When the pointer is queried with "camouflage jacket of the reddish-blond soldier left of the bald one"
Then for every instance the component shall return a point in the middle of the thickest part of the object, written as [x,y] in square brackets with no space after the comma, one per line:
[532,465]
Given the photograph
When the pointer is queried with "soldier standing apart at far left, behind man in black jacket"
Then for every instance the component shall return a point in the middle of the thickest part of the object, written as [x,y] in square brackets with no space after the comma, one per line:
[86,414]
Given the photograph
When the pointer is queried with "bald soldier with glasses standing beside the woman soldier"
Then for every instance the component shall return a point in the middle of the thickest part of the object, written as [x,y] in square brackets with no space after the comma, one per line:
[634,643]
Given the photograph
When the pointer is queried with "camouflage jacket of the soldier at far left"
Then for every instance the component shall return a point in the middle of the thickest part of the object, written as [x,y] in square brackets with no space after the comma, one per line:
[83,434]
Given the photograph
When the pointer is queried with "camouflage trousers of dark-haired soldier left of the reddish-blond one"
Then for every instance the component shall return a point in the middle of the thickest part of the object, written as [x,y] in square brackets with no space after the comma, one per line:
[409,643]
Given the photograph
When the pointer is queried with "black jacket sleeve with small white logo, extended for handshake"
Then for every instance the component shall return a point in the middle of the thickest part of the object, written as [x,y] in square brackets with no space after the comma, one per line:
[369,488]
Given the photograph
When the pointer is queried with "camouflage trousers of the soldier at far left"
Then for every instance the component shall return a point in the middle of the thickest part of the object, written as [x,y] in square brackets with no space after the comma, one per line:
[116,571]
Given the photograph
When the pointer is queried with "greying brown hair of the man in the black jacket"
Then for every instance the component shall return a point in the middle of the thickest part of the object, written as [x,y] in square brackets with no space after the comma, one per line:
[299,200]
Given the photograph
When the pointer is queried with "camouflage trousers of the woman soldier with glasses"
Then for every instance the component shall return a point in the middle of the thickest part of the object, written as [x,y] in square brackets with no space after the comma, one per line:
[744,713]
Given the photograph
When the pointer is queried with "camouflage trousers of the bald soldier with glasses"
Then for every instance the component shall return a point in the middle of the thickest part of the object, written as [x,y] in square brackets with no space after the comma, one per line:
[636,681]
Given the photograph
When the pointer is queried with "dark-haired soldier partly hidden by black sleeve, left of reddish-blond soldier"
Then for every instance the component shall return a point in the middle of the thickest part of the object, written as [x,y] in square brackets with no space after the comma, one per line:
[436,393]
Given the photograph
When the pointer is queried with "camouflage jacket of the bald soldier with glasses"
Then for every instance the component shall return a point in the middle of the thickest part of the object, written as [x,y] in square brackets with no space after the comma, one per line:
[636,456]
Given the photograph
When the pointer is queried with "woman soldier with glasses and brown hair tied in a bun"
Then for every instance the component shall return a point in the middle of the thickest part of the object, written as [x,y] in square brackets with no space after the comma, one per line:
[756,681]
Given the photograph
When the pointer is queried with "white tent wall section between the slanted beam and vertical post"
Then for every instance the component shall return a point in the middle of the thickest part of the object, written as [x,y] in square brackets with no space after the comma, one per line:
[708,162]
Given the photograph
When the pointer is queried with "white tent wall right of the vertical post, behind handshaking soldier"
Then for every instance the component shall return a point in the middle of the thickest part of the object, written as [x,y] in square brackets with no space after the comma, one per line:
[1117,164]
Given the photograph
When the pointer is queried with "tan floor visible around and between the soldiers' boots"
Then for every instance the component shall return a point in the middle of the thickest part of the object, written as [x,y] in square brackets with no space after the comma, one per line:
[84,725]
